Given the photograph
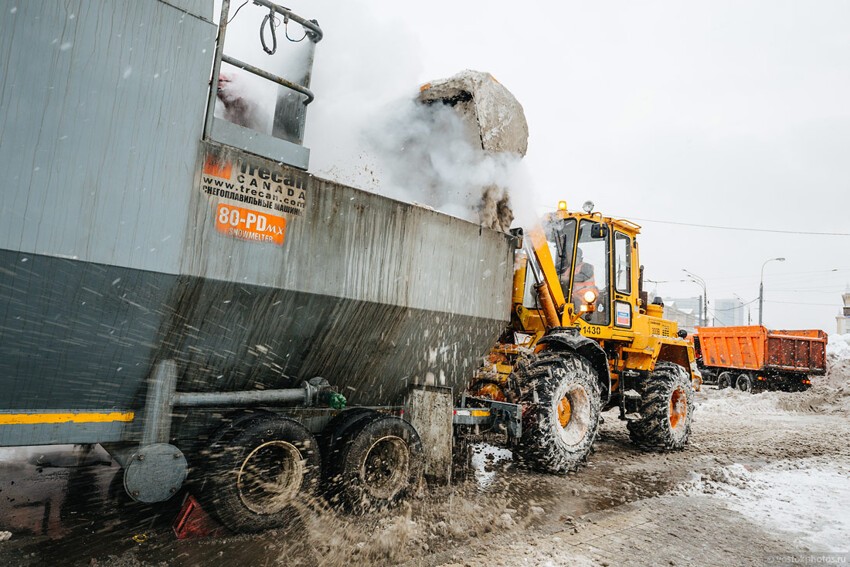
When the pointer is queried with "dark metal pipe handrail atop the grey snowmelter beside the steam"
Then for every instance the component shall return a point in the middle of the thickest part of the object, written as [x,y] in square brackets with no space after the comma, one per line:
[314,33]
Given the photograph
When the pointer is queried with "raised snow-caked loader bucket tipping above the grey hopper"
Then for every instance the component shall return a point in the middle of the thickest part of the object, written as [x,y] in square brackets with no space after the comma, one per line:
[493,115]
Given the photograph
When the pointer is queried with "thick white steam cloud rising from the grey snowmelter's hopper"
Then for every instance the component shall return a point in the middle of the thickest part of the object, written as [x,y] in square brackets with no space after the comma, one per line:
[365,128]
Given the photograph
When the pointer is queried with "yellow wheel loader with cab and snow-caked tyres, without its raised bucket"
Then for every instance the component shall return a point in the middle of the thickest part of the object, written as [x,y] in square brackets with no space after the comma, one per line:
[583,339]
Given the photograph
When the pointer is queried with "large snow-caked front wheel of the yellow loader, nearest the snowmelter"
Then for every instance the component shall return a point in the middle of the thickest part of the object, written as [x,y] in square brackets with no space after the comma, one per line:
[561,412]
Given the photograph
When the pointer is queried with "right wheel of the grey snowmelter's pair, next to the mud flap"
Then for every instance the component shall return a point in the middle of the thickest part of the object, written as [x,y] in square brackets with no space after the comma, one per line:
[381,462]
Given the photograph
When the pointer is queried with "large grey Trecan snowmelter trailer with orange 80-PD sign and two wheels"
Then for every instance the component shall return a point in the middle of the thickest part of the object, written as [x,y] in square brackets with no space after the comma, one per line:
[180,290]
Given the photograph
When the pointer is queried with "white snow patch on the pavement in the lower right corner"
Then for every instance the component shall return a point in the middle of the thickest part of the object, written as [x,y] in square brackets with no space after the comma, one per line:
[809,498]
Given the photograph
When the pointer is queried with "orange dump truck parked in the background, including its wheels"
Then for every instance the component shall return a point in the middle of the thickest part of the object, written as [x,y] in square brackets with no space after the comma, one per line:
[754,357]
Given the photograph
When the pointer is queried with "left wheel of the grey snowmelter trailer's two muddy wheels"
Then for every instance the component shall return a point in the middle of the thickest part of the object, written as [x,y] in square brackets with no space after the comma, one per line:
[259,472]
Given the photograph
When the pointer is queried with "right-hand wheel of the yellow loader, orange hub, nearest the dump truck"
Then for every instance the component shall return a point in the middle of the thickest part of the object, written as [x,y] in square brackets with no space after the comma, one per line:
[666,410]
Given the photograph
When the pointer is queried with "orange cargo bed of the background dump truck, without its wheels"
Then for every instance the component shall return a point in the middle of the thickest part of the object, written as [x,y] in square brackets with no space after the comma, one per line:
[759,349]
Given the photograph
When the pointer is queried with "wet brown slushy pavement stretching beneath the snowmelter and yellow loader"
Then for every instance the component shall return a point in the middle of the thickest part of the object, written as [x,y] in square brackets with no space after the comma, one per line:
[67,507]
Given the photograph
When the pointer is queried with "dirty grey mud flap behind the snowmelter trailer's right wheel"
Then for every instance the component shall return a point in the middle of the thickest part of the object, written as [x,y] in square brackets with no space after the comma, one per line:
[429,410]
